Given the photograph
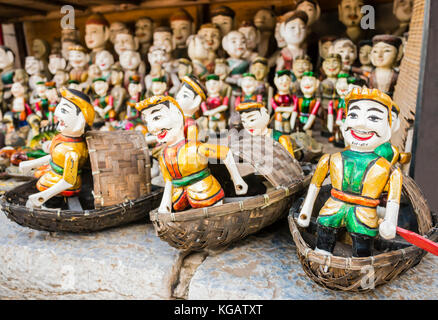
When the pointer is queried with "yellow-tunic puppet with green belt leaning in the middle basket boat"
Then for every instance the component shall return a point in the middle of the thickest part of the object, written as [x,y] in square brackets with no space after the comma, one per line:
[184,160]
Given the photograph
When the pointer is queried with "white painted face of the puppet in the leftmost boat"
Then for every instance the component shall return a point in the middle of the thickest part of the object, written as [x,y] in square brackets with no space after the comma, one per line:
[71,122]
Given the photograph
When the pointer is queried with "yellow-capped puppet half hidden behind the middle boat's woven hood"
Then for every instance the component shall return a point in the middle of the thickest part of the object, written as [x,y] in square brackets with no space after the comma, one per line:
[255,119]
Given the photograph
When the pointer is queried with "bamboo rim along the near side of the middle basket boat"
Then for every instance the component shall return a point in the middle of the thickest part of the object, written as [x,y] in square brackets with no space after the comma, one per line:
[251,203]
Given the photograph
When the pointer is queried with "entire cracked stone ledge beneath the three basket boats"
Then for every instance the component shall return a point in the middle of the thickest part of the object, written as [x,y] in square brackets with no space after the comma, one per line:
[132,263]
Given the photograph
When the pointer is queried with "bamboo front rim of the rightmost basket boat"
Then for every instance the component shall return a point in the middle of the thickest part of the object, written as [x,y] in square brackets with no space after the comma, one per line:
[355,263]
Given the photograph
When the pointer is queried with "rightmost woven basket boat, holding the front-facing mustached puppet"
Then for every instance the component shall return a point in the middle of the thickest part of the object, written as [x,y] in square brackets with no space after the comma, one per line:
[391,257]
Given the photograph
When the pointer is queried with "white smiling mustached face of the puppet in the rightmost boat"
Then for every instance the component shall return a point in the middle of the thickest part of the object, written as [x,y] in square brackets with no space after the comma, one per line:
[366,125]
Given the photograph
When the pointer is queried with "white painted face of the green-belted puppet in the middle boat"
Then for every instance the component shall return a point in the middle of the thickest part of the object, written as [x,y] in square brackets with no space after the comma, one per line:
[164,122]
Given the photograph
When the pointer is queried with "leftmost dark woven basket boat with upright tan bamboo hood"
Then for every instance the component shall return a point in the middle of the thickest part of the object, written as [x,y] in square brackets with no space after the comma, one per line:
[116,190]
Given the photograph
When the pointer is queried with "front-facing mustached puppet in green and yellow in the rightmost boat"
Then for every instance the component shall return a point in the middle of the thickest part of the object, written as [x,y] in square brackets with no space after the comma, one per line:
[359,175]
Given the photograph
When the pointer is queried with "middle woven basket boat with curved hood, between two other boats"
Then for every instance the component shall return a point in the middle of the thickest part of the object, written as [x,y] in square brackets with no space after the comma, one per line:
[238,217]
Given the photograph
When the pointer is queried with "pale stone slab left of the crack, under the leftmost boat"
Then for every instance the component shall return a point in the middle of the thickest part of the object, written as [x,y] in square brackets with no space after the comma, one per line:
[124,263]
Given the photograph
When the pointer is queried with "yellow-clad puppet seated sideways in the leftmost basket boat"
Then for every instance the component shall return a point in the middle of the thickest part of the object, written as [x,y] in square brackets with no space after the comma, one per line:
[68,151]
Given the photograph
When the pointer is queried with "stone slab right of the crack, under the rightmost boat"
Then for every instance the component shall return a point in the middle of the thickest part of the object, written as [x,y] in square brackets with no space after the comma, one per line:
[265,266]
